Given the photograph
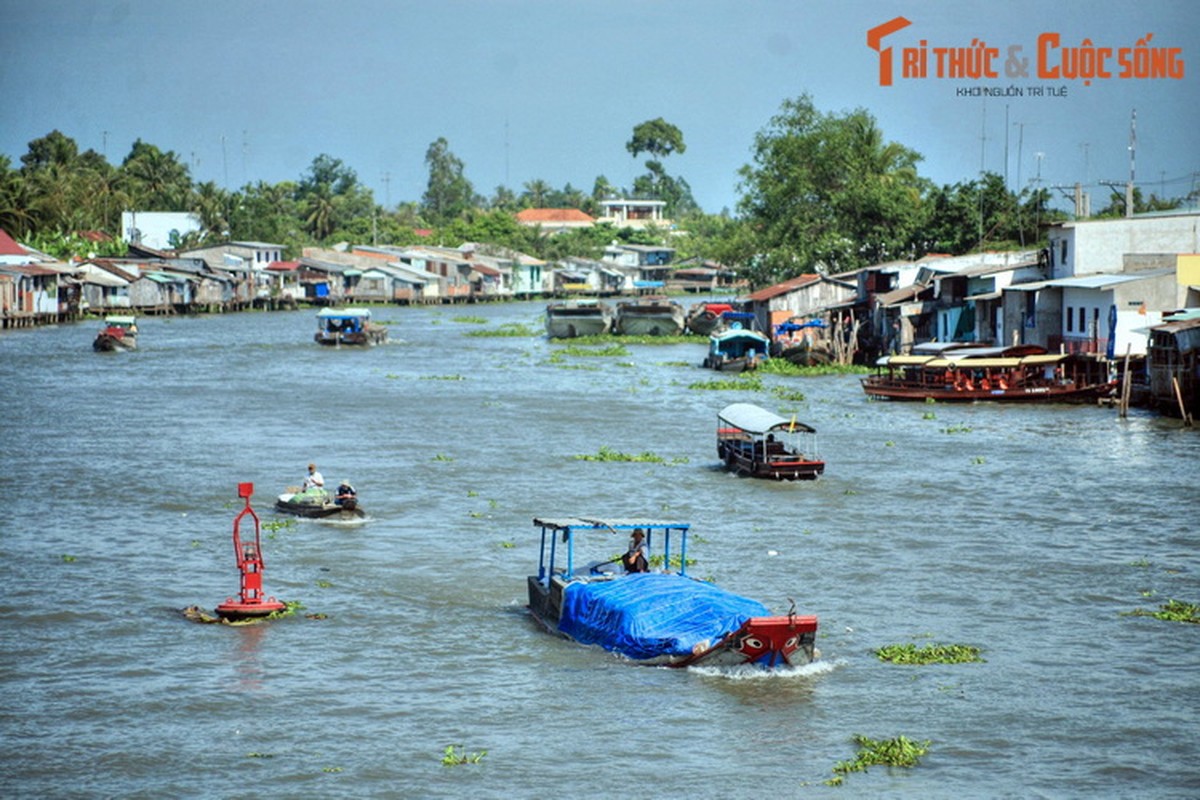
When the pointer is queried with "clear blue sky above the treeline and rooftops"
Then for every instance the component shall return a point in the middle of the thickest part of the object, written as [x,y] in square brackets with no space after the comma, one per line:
[248,91]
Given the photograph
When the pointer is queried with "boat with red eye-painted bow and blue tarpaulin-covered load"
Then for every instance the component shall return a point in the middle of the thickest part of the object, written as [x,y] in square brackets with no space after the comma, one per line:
[663,618]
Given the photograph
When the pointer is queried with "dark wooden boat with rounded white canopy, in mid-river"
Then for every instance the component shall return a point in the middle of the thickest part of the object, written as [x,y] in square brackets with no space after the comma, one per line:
[754,442]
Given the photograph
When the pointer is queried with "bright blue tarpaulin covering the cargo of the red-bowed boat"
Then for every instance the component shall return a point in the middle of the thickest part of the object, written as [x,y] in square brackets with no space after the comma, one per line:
[651,615]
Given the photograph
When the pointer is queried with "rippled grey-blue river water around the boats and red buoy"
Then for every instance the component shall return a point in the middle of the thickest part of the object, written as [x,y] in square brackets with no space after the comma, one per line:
[1027,532]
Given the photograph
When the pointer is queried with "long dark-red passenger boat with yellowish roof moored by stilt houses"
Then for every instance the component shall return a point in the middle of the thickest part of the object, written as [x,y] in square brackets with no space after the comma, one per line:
[957,372]
